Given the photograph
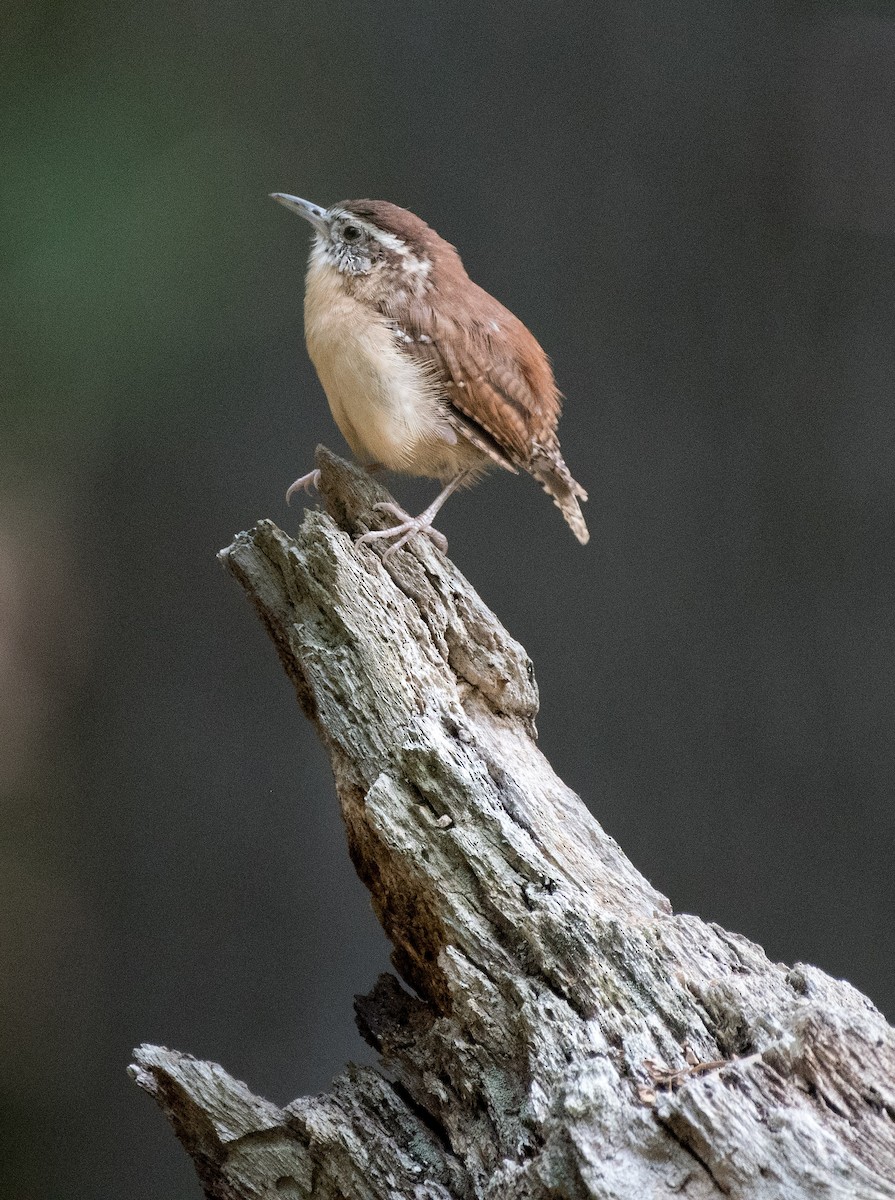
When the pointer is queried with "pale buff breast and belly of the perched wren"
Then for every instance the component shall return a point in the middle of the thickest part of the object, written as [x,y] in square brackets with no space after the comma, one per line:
[386,406]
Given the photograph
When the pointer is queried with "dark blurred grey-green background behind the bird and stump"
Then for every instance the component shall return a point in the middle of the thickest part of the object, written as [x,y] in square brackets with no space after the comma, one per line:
[693,206]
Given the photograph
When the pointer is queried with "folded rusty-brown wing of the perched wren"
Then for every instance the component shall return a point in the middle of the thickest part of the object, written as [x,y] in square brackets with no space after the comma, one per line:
[497,380]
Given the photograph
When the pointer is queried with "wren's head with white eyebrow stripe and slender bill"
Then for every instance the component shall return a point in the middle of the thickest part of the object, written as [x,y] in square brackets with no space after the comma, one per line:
[374,245]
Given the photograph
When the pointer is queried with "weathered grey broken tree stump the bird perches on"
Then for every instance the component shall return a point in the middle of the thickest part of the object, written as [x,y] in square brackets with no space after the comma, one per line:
[566,1035]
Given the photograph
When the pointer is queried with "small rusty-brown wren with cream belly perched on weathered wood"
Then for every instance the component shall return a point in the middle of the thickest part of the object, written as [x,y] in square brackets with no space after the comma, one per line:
[424,371]
